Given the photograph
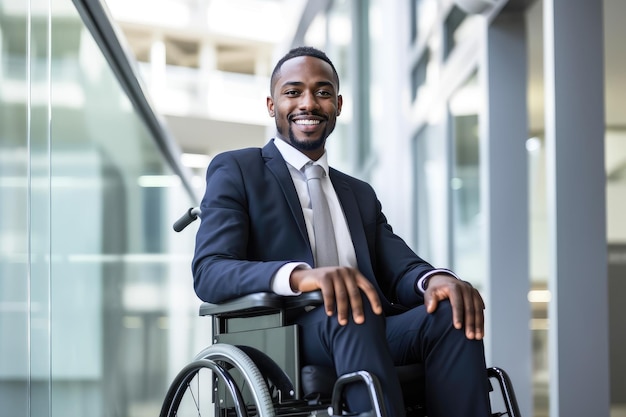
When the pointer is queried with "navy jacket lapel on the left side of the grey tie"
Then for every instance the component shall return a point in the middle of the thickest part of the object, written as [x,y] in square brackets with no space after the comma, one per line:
[277,165]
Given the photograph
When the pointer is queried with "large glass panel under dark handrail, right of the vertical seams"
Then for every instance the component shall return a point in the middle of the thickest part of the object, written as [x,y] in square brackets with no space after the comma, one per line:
[117,276]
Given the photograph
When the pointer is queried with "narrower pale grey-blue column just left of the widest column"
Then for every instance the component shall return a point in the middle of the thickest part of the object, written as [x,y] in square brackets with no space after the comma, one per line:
[505,199]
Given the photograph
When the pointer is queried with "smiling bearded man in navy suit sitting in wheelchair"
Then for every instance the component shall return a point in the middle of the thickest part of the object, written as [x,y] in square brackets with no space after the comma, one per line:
[383,305]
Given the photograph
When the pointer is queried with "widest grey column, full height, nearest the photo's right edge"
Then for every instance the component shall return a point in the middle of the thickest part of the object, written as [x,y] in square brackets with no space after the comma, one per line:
[574,101]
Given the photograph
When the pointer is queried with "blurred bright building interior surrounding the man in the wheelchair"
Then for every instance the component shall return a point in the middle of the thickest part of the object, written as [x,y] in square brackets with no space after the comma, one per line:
[493,131]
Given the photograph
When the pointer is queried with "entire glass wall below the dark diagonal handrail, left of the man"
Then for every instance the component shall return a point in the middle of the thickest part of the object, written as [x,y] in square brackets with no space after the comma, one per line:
[97,309]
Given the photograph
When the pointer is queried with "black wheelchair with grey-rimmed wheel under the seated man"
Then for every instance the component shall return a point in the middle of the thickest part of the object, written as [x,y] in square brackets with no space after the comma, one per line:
[252,368]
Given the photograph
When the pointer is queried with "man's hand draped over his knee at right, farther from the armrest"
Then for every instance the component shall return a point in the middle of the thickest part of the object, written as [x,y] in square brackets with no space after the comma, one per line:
[467,304]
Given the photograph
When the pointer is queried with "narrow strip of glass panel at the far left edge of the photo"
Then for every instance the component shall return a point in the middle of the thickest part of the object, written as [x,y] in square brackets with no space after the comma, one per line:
[14,209]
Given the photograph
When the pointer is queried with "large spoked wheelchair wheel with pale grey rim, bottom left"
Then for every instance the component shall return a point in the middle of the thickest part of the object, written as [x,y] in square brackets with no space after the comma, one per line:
[223,382]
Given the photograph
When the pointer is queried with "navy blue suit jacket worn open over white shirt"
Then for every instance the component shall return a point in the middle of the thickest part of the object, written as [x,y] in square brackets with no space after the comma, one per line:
[252,224]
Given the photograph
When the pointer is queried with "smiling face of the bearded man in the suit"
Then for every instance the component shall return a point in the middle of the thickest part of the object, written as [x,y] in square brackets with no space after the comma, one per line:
[305,104]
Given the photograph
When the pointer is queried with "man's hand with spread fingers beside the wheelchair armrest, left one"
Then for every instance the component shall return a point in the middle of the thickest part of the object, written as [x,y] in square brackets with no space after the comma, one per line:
[341,288]
